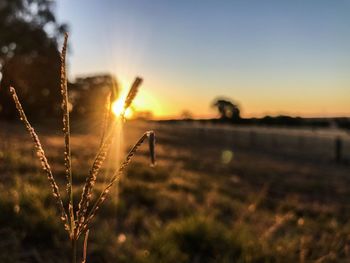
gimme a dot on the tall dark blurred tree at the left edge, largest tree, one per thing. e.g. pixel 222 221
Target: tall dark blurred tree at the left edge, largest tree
pixel 29 58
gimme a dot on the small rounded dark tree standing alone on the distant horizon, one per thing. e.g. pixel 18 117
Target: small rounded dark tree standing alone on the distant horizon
pixel 228 110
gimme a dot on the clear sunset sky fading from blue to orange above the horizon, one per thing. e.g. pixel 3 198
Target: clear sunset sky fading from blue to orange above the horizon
pixel 271 57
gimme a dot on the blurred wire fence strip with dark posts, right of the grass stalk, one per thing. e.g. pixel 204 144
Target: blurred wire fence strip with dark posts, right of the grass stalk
pixel 309 144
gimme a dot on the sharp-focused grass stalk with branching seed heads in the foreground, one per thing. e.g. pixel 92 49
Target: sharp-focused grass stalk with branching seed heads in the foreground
pixel 77 220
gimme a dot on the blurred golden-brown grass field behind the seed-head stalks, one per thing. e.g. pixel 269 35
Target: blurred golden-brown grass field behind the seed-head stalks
pixel 207 200
